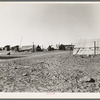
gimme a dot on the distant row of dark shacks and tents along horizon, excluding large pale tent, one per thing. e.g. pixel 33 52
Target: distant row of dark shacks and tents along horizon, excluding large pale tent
pixel 32 48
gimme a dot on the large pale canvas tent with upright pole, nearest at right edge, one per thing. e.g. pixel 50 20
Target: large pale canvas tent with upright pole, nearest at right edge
pixel 87 47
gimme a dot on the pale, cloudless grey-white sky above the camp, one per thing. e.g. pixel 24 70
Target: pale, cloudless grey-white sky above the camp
pixel 48 23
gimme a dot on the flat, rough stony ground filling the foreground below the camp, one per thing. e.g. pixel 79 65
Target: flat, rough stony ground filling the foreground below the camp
pixel 56 71
